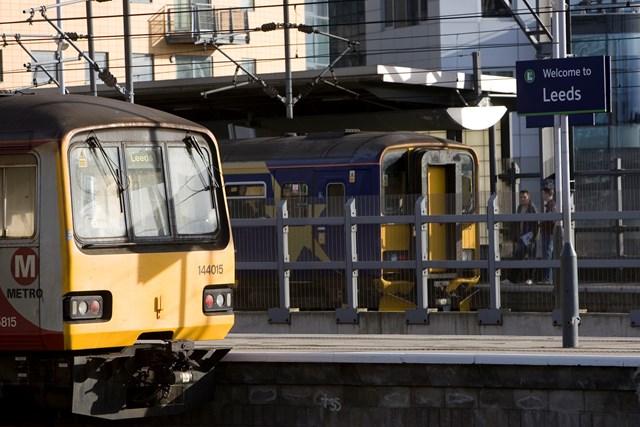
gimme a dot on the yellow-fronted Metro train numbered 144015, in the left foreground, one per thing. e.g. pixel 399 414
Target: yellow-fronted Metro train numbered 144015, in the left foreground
pixel 116 253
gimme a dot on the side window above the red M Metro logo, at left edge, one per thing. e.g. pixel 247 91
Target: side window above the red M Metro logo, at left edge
pixel 17 196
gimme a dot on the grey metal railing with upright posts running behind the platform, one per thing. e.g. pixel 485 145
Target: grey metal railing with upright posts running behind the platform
pixel 269 251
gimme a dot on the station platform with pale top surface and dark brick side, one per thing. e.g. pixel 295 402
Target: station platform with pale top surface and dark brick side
pixel 450 372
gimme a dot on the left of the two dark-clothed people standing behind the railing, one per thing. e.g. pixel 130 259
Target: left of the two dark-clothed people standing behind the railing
pixel 526 235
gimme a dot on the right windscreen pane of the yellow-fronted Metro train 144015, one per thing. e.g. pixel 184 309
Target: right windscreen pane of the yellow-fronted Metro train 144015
pixel 192 192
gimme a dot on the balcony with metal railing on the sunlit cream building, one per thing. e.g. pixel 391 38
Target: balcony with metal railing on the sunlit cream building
pixel 202 22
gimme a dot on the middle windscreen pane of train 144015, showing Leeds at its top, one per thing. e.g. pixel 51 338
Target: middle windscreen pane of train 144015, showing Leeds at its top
pixel 147 192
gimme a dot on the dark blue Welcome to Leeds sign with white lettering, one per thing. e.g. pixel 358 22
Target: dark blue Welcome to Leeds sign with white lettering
pixel 564 86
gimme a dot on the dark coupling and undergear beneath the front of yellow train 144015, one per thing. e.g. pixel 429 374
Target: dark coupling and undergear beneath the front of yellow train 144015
pixel 152 379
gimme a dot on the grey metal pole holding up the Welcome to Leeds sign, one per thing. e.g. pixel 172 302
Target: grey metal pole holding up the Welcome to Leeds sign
pixel 568 257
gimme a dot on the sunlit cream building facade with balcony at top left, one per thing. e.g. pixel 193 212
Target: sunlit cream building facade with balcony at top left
pixel 168 40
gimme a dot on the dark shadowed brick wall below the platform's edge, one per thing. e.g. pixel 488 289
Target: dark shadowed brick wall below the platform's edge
pixel 314 394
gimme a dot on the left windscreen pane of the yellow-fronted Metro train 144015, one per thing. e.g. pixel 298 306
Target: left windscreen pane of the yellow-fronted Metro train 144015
pixel 97 208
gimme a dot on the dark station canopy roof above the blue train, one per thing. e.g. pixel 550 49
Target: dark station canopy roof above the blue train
pixel 375 97
